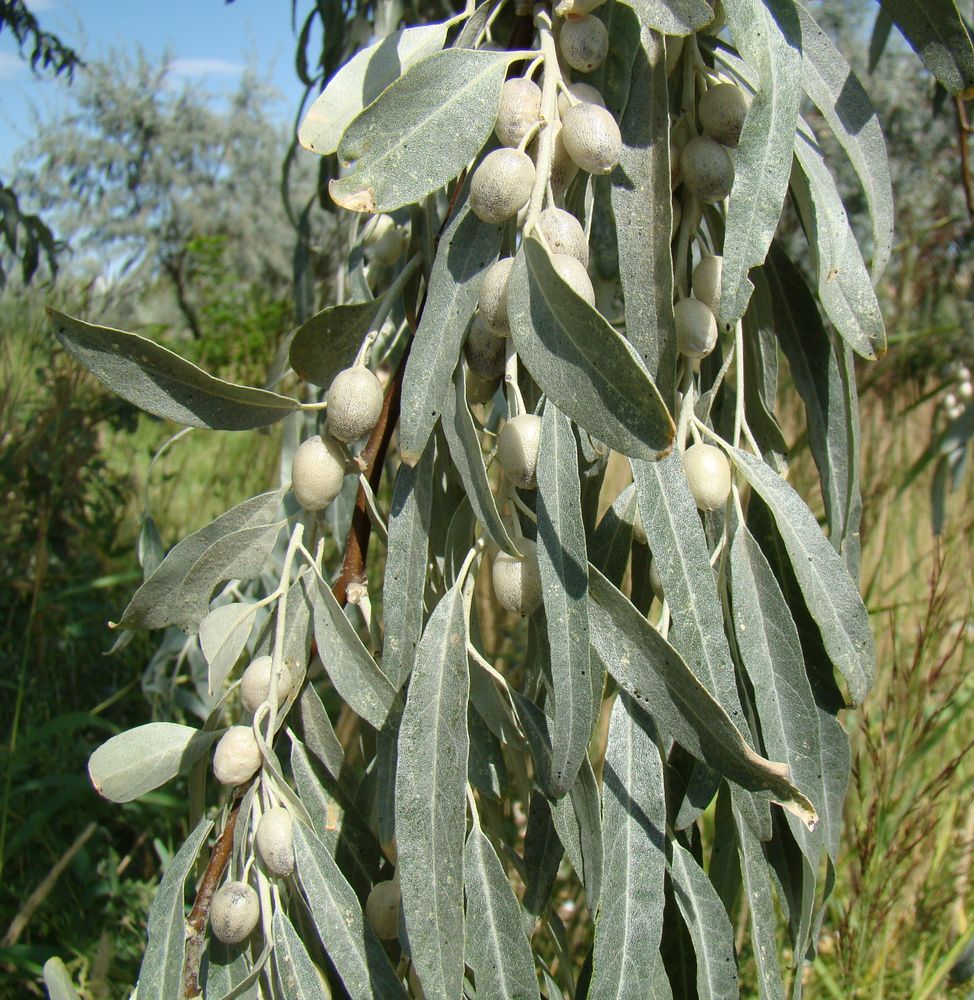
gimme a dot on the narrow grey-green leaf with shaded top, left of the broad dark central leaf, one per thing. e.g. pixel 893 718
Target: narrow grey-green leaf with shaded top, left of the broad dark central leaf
pixel 464 252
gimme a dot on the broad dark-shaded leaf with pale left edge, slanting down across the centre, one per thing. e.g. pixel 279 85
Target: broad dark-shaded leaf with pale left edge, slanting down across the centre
pixel 587 370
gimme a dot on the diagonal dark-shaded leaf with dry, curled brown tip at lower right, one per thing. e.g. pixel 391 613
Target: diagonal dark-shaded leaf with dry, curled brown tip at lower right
pixel 649 669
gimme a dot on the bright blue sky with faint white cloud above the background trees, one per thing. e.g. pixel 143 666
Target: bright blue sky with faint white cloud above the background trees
pixel 211 43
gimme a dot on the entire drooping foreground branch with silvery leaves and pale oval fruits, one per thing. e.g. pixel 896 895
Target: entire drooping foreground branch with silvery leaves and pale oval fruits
pixel 435 769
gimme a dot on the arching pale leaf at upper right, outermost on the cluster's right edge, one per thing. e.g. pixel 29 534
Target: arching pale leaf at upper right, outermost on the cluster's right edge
pixel 838 94
